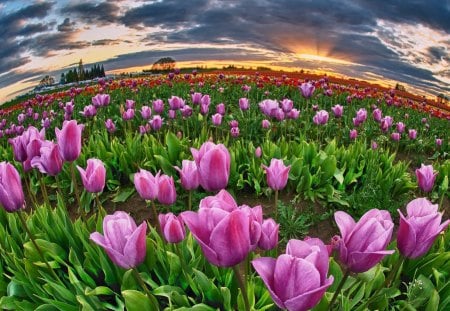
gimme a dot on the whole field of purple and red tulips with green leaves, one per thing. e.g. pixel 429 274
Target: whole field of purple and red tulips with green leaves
pixel 226 178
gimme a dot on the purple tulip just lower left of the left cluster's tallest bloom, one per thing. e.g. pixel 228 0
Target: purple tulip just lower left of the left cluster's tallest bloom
pixel 49 161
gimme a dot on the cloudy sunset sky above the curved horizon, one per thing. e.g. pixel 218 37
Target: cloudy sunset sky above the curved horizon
pixel 390 40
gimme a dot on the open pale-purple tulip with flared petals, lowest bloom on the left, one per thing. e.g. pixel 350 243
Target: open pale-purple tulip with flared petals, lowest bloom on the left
pixel 123 241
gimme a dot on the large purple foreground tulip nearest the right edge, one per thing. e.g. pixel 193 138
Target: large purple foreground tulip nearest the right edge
pixel 419 228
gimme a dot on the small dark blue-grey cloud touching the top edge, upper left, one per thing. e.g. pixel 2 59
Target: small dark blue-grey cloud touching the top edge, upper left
pixel 102 13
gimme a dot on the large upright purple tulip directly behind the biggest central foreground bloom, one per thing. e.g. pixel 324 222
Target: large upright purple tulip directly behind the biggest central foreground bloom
pixel 213 163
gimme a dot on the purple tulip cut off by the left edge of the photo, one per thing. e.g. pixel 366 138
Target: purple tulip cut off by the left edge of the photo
pixel 11 191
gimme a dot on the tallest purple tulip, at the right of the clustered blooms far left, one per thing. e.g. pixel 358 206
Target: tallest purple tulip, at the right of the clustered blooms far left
pixel 69 140
